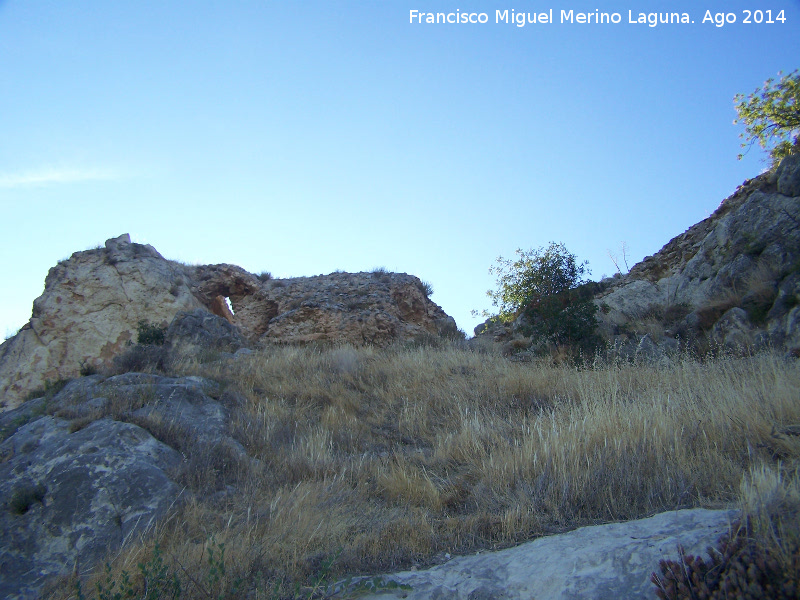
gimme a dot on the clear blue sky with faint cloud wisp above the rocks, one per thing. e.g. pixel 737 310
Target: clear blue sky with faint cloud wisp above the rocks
pixel 301 137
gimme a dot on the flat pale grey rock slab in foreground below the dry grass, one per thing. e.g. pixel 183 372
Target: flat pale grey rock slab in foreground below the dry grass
pixel 601 562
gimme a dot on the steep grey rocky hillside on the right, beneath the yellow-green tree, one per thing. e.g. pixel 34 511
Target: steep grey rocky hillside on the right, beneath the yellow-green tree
pixel 732 281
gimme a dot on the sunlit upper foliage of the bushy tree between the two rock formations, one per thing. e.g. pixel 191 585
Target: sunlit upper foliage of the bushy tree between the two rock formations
pixel 532 276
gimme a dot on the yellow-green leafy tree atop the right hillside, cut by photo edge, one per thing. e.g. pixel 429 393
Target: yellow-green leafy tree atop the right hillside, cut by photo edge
pixel 771 116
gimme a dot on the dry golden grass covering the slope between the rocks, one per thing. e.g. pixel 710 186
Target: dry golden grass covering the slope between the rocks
pixel 386 458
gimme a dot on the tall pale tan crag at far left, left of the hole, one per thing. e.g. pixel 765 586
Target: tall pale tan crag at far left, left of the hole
pixel 89 312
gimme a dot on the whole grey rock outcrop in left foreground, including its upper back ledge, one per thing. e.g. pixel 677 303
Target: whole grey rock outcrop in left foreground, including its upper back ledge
pixel 98 464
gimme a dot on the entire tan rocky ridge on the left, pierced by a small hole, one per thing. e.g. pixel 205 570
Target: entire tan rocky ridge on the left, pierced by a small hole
pixel 94 301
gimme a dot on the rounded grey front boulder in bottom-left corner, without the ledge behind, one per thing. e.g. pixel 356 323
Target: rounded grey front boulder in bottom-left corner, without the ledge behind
pixel 70 497
